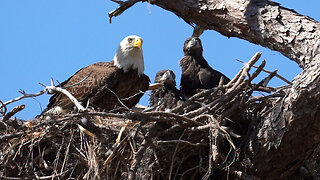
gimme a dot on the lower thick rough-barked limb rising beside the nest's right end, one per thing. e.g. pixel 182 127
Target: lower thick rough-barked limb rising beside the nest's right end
pixel 288 134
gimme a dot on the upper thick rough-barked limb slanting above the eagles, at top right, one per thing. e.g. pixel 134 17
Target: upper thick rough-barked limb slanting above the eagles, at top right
pixel 261 22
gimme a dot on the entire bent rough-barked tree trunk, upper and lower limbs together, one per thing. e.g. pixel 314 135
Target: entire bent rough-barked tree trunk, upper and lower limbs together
pixel 289 132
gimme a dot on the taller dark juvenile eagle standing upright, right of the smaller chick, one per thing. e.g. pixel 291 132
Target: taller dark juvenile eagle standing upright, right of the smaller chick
pixel 196 72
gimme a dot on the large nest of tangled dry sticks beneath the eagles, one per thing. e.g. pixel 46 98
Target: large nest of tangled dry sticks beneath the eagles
pixel 202 138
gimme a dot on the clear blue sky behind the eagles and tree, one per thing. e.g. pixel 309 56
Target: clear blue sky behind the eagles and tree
pixel 54 38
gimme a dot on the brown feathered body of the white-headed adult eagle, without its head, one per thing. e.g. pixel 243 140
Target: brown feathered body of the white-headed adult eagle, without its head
pixel 103 85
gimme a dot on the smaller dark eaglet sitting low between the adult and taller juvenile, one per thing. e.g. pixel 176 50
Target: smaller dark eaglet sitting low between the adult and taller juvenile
pixel 167 96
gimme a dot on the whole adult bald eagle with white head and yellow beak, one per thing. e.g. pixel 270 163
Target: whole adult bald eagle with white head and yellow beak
pixel 119 83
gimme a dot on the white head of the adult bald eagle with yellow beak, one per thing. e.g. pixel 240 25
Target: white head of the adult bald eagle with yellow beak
pixel 129 54
